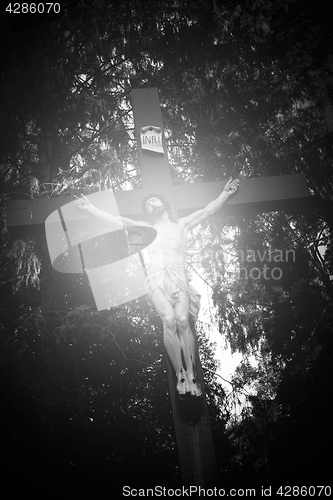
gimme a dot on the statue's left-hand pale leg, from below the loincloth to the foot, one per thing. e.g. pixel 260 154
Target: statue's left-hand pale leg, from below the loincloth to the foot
pixel 170 337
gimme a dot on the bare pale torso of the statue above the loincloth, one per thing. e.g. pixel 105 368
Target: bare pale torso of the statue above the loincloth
pixel 169 247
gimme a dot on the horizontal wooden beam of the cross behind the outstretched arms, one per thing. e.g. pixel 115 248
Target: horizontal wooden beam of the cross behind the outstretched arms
pixel 255 195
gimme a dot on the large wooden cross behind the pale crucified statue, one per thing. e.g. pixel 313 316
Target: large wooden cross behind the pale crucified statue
pixel 192 429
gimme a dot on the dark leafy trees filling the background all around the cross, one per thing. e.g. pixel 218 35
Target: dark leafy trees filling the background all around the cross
pixel 246 90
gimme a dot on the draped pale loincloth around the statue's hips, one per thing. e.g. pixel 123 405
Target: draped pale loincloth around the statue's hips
pixel 172 280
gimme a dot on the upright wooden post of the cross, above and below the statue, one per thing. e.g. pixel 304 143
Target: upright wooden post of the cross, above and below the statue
pixel 196 456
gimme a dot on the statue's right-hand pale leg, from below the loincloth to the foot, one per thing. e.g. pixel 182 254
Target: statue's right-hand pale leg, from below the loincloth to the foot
pixel 187 343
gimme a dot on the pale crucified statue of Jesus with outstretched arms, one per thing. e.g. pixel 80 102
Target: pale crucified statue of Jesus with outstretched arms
pixel 169 290
